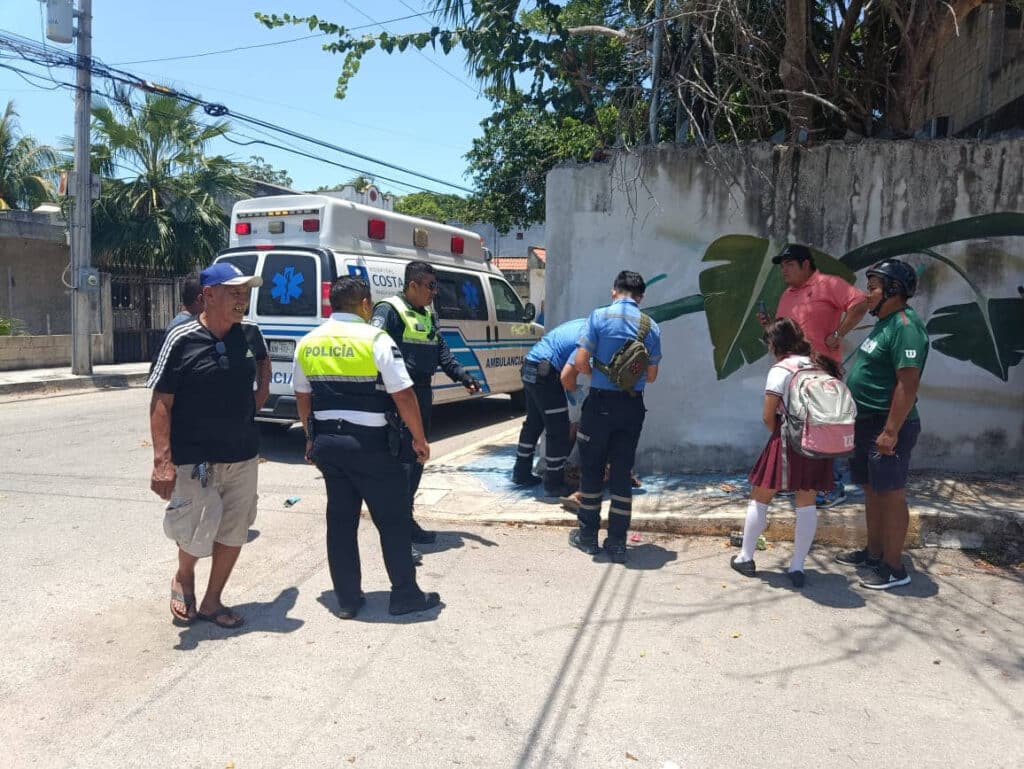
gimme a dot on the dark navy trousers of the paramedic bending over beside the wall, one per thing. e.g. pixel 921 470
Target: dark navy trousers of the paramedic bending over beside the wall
pixel 547 411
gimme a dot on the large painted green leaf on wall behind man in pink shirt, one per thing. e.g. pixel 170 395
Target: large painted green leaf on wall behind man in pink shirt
pixel 732 292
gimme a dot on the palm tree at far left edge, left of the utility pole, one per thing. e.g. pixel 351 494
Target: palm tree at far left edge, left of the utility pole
pixel 27 169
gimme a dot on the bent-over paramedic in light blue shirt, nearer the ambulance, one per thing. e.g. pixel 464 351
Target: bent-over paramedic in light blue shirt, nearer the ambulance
pixel 547 408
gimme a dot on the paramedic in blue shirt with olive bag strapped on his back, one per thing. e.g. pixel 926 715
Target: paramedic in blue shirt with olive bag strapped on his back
pixel 613 419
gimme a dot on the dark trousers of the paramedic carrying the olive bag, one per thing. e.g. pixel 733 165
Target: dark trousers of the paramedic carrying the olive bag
pixel 610 432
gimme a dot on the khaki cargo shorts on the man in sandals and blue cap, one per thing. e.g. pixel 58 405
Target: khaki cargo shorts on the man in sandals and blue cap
pixel 197 518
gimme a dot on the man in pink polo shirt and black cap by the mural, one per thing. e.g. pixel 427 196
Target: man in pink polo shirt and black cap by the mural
pixel 827 308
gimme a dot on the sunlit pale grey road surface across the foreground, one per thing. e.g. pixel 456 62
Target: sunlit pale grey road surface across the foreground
pixel 540 657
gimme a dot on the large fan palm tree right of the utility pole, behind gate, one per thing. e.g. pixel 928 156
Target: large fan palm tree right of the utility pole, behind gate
pixel 160 209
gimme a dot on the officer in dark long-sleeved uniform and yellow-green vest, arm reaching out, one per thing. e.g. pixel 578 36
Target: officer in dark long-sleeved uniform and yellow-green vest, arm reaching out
pixel 413 326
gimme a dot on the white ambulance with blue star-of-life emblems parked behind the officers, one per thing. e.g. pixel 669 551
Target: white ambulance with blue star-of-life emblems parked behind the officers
pixel 301 244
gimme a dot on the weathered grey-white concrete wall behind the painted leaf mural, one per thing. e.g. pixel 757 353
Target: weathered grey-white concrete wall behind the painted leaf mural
pixel 659 212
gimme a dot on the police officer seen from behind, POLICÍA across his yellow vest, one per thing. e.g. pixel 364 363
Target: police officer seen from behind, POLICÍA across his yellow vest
pixel 349 379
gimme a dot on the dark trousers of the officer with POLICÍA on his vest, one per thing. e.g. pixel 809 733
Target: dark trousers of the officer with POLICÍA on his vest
pixel 358 467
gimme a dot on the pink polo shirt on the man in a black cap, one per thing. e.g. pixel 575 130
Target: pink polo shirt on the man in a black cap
pixel 819 307
